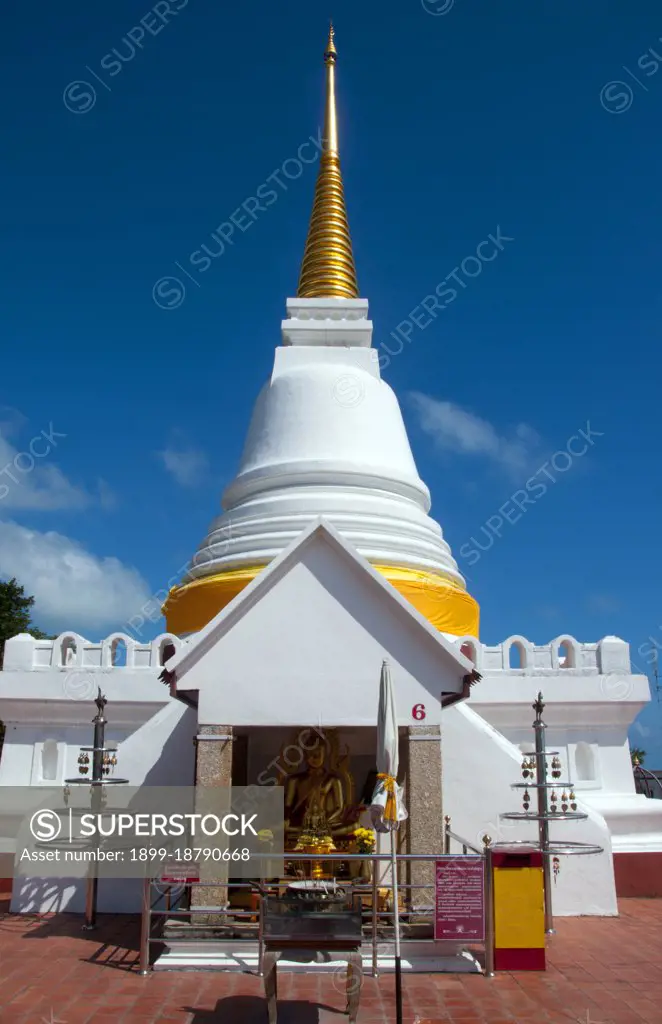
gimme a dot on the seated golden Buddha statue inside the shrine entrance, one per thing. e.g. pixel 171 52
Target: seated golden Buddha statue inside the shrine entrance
pixel 320 796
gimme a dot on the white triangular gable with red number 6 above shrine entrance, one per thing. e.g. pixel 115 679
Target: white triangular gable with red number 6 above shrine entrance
pixel 306 641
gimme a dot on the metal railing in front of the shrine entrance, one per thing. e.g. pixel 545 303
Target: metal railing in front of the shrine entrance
pixel 376 919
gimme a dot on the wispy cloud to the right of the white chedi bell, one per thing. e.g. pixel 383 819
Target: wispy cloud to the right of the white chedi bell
pixel 458 431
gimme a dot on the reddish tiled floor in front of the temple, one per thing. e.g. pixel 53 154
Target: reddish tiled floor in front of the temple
pixel 600 972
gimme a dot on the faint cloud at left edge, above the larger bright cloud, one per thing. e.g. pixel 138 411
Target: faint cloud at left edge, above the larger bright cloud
pixel 29 478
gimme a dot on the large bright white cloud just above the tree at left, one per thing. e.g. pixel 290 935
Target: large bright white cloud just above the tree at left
pixel 73 589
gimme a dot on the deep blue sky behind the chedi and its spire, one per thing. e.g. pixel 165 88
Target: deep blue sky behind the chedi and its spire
pixel 460 121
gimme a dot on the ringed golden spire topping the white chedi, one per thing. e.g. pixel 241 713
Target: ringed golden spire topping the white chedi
pixel 328 271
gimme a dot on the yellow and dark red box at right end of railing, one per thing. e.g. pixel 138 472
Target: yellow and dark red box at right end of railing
pixel 519 910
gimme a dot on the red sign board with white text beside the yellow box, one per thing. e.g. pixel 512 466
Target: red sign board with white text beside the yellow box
pixel 460 892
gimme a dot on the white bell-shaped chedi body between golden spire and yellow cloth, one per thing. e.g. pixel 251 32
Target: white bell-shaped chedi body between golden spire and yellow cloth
pixel 326 439
